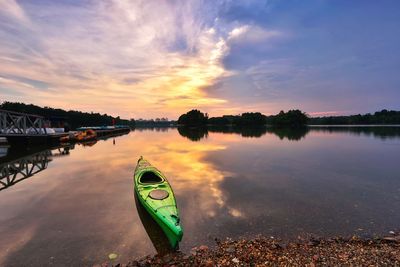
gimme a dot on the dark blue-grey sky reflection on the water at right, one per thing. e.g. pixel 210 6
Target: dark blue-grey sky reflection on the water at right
pixel 319 185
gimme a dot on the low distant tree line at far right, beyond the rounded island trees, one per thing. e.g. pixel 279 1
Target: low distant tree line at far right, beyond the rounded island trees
pixel 380 117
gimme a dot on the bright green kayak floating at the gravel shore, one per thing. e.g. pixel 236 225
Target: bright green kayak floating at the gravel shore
pixel 157 197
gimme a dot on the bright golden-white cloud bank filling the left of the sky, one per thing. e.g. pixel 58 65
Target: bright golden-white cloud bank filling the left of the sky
pixel 135 58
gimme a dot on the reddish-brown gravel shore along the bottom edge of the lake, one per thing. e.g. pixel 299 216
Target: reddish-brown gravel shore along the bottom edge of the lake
pixel 271 252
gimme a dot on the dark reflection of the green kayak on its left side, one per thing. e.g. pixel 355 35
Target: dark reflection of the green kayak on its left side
pixel 153 230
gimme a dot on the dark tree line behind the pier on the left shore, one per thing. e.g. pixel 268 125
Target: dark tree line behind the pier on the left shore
pixel 75 119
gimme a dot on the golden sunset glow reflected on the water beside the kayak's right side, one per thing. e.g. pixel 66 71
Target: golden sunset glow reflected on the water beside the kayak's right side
pixel 195 180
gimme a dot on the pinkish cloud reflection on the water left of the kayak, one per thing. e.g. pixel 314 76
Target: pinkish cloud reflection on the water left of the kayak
pixel 79 202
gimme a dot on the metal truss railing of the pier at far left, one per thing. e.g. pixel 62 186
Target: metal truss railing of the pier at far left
pixel 15 123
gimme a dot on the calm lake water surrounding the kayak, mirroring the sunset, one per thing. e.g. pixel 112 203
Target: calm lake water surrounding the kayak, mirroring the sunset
pixel 80 205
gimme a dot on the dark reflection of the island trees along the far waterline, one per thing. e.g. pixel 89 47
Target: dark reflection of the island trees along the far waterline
pixel 292 134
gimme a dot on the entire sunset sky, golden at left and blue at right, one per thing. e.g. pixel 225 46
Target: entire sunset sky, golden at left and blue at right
pixel 147 59
